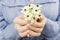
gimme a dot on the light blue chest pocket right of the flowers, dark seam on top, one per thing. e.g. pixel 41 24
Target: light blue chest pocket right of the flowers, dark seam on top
pixel 49 8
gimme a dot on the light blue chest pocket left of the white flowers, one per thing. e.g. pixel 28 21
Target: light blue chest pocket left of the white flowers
pixel 11 11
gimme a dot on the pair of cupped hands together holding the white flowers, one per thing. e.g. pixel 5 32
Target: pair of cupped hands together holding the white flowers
pixel 29 29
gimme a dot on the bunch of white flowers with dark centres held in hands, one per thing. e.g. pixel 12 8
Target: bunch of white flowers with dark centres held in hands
pixel 32 12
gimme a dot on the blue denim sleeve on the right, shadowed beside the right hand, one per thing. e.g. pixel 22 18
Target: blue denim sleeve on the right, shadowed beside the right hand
pixel 52 28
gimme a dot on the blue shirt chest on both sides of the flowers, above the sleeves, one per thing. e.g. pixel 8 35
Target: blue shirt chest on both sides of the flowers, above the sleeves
pixel 12 8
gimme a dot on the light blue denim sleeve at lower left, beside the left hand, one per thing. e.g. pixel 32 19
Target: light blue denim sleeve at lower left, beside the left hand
pixel 10 33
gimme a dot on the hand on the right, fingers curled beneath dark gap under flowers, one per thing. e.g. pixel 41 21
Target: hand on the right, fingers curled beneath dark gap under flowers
pixel 36 28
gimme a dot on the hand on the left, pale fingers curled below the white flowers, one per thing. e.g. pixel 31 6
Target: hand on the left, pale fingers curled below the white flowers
pixel 21 25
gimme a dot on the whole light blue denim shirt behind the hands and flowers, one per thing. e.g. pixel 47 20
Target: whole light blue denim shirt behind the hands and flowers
pixel 9 9
